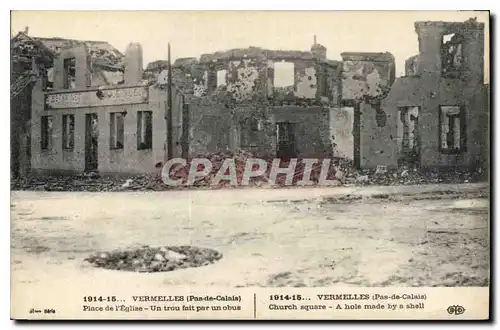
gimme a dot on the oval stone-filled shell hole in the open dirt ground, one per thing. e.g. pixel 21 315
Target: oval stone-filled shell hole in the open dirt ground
pixel 148 259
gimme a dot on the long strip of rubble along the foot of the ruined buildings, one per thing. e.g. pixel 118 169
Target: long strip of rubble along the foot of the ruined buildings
pixel 340 172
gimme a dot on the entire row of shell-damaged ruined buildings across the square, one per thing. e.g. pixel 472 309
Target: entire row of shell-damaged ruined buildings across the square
pixel 103 112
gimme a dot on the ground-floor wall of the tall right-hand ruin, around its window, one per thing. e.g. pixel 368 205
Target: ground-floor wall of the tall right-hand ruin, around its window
pixel 429 94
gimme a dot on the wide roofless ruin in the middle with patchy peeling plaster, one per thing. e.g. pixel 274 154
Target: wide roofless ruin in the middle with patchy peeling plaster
pixel 278 103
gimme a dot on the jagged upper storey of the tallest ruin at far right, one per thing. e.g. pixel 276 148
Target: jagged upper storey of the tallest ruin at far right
pixel 449 49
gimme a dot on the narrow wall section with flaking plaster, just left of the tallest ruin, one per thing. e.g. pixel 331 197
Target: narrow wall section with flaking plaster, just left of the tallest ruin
pixel 366 80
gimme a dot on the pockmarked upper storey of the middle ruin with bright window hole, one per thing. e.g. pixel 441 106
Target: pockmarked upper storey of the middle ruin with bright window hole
pixel 255 73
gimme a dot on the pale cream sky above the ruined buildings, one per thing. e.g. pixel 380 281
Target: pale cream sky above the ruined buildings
pixel 193 33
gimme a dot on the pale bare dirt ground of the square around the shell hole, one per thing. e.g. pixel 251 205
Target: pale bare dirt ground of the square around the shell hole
pixel 429 235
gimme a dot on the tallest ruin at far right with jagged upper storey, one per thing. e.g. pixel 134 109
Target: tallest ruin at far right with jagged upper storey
pixel 439 110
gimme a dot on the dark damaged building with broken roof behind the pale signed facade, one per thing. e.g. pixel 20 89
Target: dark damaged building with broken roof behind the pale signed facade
pixel 32 59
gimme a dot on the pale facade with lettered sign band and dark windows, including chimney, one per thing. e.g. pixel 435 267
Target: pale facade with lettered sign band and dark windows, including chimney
pixel 112 129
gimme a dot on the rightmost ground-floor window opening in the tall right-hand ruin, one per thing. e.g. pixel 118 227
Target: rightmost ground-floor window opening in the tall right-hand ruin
pixel 452 129
